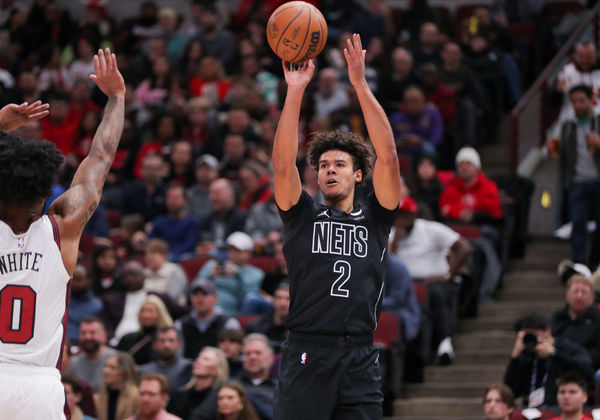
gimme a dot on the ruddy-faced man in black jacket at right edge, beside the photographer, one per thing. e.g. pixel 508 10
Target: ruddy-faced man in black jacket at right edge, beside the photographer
pixel 579 319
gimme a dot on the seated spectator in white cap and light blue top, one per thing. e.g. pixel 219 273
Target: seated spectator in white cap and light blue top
pixel 233 277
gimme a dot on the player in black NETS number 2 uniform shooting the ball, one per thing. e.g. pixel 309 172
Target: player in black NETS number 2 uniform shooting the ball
pixel 335 255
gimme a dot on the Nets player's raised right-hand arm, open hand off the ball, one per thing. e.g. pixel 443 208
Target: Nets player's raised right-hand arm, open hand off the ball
pixel 386 173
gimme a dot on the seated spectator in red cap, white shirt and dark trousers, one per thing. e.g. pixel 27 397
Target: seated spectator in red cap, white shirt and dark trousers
pixel 434 254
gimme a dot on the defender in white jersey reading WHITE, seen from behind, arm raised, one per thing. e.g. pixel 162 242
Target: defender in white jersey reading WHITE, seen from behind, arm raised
pixel 38 253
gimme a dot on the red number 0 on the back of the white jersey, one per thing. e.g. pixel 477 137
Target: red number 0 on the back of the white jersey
pixel 17 313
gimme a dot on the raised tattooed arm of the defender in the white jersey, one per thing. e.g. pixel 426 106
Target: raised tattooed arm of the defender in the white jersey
pixel 73 209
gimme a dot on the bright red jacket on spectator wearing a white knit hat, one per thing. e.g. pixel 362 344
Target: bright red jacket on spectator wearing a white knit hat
pixel 481 197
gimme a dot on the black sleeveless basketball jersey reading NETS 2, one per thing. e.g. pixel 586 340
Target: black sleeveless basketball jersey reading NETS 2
pixel 336 265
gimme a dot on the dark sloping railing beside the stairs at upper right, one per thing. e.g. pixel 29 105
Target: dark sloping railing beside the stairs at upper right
pixel 531 117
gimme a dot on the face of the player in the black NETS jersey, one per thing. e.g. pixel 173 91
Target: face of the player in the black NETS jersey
pixel 336 175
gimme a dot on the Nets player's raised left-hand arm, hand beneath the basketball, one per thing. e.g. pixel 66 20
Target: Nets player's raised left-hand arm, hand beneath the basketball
pixel 286 180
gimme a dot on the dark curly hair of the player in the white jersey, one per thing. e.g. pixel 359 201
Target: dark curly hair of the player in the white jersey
pixel 28 169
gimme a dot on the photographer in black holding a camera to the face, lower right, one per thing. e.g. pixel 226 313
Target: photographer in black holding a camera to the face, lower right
pixel 538 359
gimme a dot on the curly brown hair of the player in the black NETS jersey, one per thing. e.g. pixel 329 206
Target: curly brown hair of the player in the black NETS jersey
pixel 353 144
